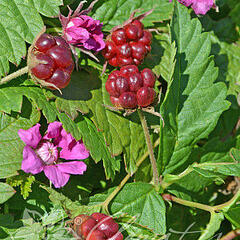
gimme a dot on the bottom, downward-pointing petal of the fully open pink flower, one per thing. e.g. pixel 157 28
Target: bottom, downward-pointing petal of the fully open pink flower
pixel 58 178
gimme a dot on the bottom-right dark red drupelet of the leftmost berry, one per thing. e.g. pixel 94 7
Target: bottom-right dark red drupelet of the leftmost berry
pixel 59 78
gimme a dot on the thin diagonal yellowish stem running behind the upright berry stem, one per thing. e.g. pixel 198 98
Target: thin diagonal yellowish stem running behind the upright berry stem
pixel 123 182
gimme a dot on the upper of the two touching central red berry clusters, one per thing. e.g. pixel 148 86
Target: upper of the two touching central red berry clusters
pixel 128 45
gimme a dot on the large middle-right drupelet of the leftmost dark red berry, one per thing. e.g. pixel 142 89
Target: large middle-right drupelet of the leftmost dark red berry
pixel 61 56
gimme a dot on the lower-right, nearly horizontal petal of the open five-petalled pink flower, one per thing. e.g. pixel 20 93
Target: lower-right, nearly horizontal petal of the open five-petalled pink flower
pixel 74 167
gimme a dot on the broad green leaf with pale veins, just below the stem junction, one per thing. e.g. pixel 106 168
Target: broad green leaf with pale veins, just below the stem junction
pixel 145 204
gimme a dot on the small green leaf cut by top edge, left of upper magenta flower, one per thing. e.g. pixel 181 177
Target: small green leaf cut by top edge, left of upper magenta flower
pixel 48 8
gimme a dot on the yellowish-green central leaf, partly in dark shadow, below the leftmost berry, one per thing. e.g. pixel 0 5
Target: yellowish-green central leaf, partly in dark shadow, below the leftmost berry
pixel 119 132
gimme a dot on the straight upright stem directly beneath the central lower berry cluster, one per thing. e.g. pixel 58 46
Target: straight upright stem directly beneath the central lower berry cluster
pixel 150 147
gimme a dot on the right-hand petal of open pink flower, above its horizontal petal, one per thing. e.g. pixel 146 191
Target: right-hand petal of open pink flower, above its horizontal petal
pixel 75 150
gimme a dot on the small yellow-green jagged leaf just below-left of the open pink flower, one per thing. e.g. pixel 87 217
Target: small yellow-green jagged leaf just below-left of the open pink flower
pixel 24 181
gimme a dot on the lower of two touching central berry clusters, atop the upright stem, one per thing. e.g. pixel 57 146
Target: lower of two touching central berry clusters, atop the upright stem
pixel 129 88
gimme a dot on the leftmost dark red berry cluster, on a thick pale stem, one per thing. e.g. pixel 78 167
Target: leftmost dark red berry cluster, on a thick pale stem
pixel 51 60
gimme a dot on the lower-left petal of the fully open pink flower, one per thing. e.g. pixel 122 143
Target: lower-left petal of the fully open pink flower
pixel 31 163
